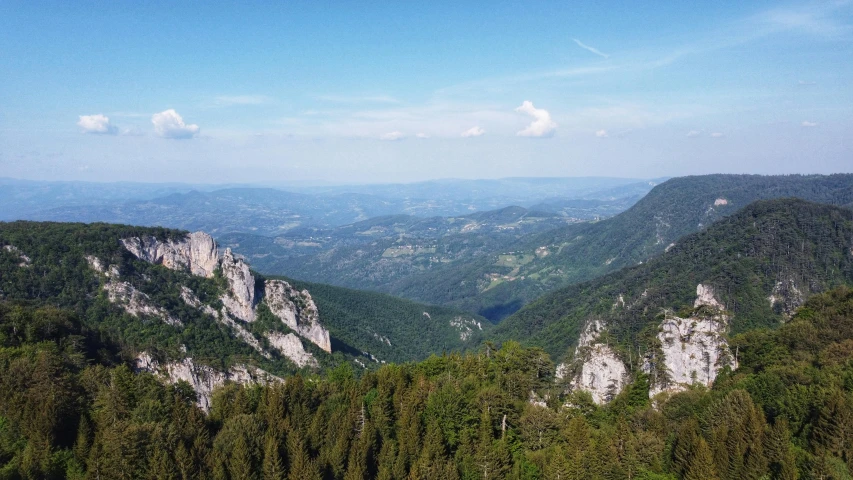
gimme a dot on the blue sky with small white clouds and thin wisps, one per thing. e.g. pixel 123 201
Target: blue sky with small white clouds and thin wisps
pixel 367 92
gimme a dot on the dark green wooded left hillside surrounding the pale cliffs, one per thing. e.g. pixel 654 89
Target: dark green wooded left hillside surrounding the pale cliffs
pixel 145 307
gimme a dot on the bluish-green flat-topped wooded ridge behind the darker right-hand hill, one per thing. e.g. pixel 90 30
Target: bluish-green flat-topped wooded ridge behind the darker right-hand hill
pixel 495 287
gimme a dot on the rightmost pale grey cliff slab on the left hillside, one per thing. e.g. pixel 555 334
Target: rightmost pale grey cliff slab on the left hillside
pixel 296 310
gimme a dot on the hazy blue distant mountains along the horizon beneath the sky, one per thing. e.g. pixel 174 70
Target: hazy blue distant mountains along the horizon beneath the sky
pixel 272 211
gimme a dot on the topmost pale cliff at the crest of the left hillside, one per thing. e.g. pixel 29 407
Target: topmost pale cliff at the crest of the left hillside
pixel 196 252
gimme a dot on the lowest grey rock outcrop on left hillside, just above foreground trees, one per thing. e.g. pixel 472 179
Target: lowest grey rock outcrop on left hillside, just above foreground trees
pixel 202 378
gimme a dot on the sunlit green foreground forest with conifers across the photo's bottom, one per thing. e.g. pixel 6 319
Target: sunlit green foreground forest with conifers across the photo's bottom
pixel 68 410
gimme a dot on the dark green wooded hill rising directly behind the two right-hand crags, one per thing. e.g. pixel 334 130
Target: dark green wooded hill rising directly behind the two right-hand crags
pixel 762 262
